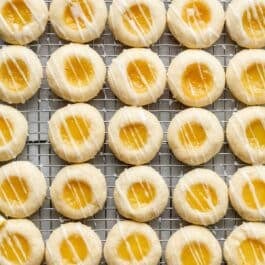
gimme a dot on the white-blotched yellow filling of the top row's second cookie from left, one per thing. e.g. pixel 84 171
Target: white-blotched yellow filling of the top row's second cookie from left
pixel 77 13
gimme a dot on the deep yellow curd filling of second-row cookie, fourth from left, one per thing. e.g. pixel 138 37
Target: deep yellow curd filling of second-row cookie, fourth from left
pixel 197 81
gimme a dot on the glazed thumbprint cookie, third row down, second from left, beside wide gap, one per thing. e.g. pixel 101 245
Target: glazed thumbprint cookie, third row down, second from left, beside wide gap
pixel 76 132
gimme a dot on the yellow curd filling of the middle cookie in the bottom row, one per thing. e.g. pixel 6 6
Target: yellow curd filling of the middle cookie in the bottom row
pixel 134 247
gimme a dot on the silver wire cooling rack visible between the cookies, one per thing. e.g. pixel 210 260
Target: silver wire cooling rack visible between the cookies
pixel 38 150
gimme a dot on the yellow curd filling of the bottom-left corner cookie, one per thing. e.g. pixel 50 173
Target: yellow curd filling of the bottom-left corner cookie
pixel 15 248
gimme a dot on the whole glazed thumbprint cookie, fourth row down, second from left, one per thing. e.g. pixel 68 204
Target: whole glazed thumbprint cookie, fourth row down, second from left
pixel 79 191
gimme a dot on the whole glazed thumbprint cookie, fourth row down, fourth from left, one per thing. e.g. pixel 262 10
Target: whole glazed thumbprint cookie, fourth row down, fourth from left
pixel 201 197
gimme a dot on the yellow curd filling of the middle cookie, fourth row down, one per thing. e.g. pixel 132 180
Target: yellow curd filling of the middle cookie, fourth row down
pixel 141 193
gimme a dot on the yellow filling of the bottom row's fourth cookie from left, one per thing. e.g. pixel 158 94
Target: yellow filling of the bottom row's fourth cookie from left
pixel 195 253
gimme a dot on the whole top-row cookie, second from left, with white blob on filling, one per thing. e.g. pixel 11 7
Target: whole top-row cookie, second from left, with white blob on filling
pixel 78 20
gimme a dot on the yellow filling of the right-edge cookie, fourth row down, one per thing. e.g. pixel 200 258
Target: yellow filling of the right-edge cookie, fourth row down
pixel 253 194
